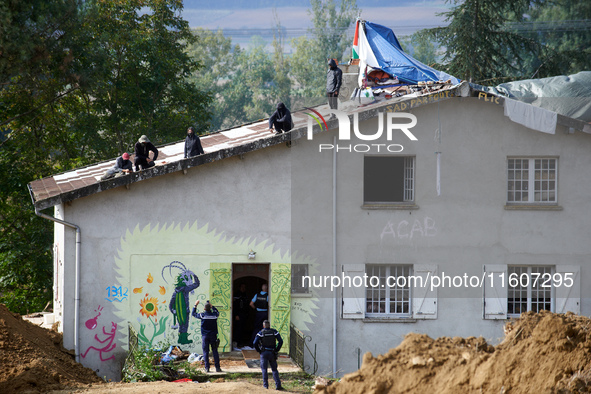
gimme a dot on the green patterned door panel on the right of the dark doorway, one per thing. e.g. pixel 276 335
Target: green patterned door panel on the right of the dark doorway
pixel 281 301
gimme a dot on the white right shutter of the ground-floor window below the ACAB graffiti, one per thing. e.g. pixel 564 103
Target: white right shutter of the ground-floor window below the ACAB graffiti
pixel 424 300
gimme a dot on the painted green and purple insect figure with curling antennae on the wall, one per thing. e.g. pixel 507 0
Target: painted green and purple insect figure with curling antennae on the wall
pixel 185 283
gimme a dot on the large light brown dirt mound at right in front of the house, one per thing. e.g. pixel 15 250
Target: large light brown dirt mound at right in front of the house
pixel 542 352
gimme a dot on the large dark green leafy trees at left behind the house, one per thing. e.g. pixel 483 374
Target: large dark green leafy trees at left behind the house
pixel 80 81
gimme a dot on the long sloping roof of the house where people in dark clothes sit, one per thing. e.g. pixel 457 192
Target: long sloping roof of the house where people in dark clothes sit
pixel 81 182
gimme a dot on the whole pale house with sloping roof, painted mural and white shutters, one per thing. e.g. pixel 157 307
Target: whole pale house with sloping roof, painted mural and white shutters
pixel 362 233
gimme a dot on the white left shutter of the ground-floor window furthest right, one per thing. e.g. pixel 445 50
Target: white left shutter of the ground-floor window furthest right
pixel 495 291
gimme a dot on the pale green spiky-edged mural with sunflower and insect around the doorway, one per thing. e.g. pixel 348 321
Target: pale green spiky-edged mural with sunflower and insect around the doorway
pixel 148 262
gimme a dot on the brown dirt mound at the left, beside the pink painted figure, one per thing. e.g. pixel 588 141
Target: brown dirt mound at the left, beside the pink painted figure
pixel 33 359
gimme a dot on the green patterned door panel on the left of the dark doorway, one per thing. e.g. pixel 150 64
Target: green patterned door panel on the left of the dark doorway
pixel 220 293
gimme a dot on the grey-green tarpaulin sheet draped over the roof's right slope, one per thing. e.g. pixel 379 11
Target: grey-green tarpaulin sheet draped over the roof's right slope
pixel 566 95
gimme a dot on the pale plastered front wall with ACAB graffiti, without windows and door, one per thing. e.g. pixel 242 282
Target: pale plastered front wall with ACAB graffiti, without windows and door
pixel 279 201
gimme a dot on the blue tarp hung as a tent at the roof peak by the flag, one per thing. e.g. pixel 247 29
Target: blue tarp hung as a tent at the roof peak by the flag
pixel 393 60
